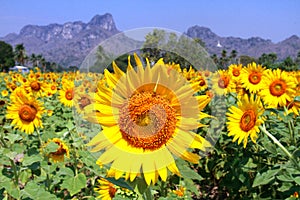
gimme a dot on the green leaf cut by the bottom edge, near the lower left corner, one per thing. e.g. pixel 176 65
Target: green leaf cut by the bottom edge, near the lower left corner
pixel 35 191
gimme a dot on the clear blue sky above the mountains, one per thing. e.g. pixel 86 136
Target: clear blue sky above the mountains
pixel 269 19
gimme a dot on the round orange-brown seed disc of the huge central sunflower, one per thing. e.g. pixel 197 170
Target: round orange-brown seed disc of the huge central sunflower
pixel 147 120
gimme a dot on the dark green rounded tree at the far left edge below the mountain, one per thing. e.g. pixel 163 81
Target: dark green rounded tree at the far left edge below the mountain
pixel 6 56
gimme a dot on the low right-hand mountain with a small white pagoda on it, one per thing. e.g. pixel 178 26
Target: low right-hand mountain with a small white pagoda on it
pixel 254 46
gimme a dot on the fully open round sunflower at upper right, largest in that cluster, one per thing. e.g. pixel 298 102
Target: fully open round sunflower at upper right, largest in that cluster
pixel 278 88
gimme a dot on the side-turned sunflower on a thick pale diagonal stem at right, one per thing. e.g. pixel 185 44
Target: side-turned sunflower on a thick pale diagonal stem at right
pixel 244 120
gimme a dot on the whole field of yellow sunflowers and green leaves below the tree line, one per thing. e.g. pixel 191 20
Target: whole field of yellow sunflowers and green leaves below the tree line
pixel 151 132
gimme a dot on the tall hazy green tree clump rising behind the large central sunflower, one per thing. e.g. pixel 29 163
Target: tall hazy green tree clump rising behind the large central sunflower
pixel 175 48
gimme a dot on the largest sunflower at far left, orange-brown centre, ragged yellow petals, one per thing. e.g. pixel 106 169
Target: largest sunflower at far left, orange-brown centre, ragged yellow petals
pixel 26 112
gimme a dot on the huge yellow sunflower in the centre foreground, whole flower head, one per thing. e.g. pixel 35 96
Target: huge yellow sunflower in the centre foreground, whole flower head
pixel 147 116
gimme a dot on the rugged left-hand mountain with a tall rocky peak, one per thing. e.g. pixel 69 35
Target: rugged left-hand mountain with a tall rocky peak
pixel 66 44
